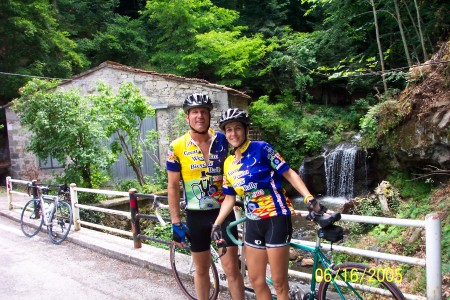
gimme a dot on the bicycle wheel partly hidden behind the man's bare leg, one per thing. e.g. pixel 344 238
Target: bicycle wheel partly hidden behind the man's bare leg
pixel 183 272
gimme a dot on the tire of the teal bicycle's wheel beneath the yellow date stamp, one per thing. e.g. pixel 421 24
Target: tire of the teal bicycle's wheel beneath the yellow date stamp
pixel 358 274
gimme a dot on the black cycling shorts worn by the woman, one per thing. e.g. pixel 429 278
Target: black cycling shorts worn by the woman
pixel 268 233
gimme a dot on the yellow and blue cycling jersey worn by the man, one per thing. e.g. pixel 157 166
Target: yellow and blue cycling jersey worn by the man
pixel 202 184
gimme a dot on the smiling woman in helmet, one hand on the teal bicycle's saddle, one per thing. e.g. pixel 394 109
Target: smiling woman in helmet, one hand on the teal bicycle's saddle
pixel 254 172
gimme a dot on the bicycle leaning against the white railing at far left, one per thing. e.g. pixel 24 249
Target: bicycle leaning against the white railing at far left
pixel 51 211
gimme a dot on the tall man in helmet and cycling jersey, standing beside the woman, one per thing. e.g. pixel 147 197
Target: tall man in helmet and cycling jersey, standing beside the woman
pixel 196 159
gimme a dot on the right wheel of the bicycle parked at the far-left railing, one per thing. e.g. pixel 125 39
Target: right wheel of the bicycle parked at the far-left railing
pixel 60 222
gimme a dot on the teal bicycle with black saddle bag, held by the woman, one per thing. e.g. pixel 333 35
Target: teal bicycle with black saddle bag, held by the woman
pixel 343 281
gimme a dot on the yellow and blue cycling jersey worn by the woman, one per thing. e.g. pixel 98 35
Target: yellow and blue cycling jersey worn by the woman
pixel 256 178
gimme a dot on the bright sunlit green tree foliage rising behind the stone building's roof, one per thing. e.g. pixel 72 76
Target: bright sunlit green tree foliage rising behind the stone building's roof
pixel 182 33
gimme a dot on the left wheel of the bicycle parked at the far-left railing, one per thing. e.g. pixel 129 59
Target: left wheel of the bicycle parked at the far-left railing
pixel 31 219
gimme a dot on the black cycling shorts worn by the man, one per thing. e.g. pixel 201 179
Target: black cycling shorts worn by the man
pixel 200 224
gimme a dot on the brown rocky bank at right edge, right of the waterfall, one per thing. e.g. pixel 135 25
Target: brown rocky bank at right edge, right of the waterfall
pixel 424 137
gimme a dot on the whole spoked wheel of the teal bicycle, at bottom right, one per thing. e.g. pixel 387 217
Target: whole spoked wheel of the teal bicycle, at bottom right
pixel 358 281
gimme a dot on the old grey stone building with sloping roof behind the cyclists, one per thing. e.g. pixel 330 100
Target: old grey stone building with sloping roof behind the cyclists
pixel 164 92
